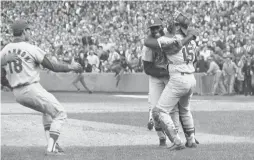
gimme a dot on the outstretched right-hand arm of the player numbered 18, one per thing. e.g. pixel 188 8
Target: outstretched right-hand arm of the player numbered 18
pixel 57 66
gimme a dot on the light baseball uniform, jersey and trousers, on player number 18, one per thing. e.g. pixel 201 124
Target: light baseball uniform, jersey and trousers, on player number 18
pixel 23 76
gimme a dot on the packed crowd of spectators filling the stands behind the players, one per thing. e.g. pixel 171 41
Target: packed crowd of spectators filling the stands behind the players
pixel 106 32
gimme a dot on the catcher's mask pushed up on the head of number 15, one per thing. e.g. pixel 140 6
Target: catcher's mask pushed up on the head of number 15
pixel 182 21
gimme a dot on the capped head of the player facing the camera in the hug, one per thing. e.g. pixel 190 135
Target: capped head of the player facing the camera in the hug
pixel 156 27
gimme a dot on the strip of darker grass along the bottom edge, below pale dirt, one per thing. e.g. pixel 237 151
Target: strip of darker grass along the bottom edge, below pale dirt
pixel 203 152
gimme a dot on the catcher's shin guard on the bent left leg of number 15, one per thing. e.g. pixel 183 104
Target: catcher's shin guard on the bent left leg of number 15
pixel 164 120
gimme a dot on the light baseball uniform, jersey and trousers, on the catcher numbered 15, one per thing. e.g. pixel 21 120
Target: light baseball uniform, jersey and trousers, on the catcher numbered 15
pixel 180 86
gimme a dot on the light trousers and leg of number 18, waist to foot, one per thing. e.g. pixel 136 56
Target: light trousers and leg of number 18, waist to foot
pixel 36 97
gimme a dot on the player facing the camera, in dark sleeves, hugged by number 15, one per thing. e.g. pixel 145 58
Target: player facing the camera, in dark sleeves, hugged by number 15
pixel 155 64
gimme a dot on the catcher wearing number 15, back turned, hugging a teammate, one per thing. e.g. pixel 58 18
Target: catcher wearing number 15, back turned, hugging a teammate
pixel 180 53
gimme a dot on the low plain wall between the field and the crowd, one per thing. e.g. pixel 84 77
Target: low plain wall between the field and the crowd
pixel 106 82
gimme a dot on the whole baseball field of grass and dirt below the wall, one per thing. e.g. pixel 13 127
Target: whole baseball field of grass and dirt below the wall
pixel 113 127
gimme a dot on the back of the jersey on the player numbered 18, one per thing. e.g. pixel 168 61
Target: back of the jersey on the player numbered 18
pixel 25 70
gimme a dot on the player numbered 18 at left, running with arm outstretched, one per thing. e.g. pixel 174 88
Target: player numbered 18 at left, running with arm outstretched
pixel 21 62
